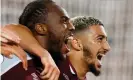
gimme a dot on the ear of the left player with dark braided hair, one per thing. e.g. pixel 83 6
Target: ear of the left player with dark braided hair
pixel 41 29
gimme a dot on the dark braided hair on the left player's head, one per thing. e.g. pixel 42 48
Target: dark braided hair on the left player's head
pixel 34 12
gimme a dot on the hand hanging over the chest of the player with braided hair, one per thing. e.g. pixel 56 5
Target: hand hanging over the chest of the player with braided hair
pixel 51 71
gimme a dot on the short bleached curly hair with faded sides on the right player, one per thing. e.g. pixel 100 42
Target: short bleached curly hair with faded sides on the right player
pixel 82 22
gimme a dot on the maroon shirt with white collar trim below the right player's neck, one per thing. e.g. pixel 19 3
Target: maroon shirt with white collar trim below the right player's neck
pixel 67 70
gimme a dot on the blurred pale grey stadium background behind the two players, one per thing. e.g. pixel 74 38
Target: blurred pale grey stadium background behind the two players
pixel 117 16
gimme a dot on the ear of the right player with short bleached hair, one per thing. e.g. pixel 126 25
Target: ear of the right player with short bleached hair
pixel 76 44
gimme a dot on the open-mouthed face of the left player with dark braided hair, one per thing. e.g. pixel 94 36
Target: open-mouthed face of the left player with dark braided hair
pixel 59 25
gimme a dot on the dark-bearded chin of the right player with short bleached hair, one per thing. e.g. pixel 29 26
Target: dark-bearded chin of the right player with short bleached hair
pixel 95 69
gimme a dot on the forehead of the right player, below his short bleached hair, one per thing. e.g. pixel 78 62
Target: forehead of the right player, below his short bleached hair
pixel 97 30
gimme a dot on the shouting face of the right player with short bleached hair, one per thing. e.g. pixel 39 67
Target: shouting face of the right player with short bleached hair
pixel 95 46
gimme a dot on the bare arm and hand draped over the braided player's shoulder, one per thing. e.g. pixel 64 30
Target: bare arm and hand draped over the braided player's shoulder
pixel 30 44
